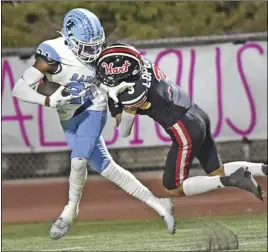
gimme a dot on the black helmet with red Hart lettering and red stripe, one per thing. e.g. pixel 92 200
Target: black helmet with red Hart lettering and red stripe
pixel 118 63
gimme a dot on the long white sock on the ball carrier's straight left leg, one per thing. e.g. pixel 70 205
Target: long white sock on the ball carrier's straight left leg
pixel 77 180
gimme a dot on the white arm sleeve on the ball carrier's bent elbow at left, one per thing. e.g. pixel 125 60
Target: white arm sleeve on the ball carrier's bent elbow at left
pixel 23 88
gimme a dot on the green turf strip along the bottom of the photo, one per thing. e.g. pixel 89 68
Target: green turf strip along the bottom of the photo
pixel 136 236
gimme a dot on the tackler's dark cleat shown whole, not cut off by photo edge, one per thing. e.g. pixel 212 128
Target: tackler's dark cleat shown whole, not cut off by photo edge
pixel 243 179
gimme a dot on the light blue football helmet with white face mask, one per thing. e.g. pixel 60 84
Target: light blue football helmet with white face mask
pixel 83 33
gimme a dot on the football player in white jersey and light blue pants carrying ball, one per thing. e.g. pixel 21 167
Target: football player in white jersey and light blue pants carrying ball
pixel 69 61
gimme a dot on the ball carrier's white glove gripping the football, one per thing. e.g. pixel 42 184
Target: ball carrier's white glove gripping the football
pixel 56 99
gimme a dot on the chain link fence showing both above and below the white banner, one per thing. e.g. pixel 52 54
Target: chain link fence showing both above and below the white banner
pixel 57 164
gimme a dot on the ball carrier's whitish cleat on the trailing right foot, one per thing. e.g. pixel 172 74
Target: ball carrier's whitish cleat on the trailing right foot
pixel 168 216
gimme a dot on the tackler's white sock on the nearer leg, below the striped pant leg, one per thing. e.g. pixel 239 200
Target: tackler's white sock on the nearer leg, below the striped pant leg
pixel 201 184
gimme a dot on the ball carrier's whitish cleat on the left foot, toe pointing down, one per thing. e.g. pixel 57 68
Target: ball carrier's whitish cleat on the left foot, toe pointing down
pixel 61 226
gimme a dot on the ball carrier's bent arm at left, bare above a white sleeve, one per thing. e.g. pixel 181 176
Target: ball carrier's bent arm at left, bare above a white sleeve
pixel 24 87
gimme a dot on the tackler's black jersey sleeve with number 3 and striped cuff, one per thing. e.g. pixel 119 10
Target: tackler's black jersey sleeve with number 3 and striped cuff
pixel 135 96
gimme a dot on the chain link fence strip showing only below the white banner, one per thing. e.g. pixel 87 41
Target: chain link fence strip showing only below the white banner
pixel 26 166
